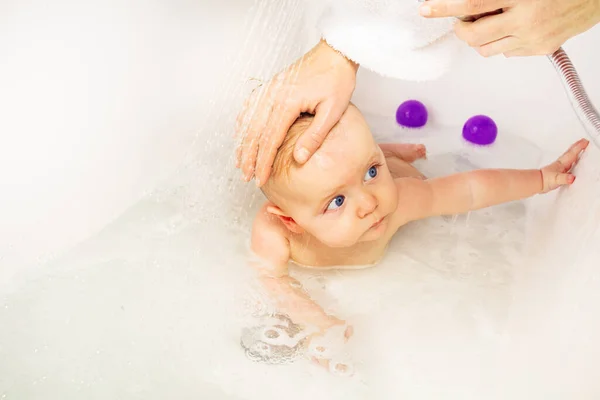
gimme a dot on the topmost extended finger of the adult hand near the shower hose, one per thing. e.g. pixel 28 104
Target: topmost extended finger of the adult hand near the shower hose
pixel 458 8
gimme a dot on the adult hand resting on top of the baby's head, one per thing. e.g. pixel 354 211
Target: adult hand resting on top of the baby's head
pixel 321 82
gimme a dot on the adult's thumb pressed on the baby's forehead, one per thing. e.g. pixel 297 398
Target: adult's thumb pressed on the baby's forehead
pixel 327 114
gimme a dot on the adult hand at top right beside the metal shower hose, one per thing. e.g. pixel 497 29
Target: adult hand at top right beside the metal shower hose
pixel 524 28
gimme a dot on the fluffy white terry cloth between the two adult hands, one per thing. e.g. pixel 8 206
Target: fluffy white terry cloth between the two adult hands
pixel 390 38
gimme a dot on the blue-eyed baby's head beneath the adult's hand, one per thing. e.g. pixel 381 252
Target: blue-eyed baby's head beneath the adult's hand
pixel 339 196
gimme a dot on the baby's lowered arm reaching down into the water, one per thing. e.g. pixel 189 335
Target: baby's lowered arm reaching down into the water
pixel 271 246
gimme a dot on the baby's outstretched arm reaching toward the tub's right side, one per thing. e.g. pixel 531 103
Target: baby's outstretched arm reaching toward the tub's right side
pixel 474 190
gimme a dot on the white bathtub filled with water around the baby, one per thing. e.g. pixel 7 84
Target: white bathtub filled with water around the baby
pixel 124 224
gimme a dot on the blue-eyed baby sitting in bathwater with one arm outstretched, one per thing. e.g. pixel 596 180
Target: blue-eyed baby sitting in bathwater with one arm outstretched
pixel 341 208
